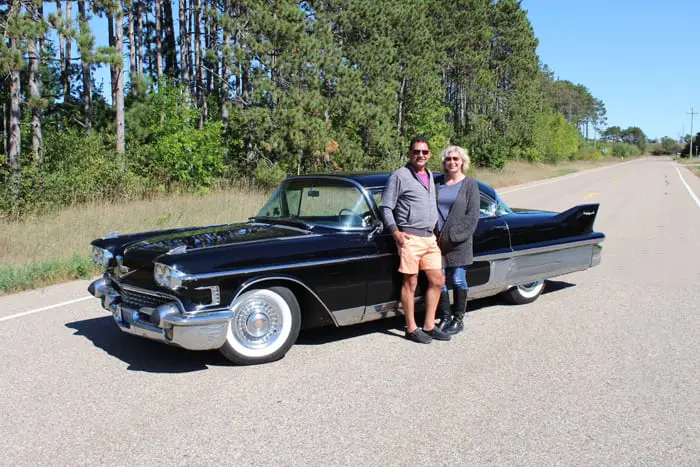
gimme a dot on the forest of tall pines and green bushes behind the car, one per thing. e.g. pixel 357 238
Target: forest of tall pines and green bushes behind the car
pixel 204 93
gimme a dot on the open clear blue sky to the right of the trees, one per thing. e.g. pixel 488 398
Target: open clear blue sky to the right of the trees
pixel 642 58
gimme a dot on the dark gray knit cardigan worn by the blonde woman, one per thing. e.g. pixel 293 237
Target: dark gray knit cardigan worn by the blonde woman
pixel 456 237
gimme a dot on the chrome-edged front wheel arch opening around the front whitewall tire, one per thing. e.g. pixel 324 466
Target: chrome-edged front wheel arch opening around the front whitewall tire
pixel 314 313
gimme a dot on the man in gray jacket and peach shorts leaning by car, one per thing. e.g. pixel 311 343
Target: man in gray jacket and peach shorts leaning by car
pixel 410 212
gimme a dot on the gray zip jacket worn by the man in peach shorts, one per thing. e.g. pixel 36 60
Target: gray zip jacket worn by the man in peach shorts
pixel 408 205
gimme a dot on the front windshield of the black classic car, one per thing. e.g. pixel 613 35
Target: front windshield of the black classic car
pixel 322 202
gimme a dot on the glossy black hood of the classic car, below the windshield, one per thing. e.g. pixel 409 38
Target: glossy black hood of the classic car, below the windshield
pixel 145 251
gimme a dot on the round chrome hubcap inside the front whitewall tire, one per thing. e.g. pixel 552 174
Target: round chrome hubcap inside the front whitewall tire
pixel 257 323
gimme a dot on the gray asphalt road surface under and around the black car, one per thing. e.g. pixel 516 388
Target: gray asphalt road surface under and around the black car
pixel 604 368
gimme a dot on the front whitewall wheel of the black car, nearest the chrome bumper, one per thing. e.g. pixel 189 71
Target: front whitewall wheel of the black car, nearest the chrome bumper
pixel 265 325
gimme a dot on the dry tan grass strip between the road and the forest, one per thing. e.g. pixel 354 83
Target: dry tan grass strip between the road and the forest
pixel 43 250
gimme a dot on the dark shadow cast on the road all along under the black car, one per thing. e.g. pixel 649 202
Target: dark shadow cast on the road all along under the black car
pixel 153 357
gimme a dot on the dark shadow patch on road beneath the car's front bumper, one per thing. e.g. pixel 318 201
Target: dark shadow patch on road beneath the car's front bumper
pixel 143 354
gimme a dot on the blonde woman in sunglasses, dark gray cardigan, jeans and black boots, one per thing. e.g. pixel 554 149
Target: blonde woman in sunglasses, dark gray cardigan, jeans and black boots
pixel 458 207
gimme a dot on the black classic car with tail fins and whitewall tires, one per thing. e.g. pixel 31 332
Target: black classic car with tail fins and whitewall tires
pixel 316 254
